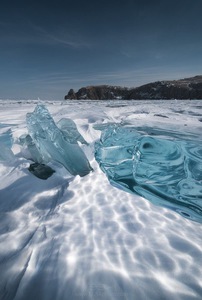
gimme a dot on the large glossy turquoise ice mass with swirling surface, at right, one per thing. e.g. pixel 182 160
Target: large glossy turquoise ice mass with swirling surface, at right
pixel 167 171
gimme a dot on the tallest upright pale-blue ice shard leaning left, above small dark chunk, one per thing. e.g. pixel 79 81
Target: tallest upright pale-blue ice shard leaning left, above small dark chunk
pixel 53 144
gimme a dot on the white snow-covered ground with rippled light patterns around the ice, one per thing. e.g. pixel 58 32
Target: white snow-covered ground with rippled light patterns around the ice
pixel 71 237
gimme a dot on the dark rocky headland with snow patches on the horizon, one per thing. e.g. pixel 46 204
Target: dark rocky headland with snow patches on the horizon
pixel 188 88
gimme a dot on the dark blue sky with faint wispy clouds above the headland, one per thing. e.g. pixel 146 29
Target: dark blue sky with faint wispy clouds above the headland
pixel 48 47
